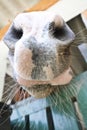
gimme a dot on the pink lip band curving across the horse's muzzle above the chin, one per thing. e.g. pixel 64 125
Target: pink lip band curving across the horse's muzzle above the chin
pixel 64 78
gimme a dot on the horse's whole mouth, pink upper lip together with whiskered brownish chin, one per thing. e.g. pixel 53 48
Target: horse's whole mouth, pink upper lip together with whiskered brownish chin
pixel 40 89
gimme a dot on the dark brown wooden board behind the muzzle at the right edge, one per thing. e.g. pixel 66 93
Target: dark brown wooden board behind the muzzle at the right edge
pixel 78 63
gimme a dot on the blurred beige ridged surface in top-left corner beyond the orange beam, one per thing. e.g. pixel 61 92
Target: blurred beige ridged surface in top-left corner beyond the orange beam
pixel 10 8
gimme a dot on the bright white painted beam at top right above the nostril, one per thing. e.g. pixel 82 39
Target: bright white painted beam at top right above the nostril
pixel 69 9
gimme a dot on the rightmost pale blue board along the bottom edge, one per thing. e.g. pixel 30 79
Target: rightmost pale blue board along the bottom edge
pixel 63 121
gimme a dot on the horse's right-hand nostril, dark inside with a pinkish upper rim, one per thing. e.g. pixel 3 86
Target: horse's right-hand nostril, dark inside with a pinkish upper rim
pixel 61 31
